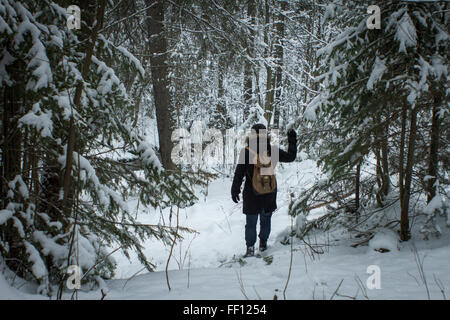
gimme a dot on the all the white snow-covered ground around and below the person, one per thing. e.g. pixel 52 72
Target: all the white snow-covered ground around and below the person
pixel 202 265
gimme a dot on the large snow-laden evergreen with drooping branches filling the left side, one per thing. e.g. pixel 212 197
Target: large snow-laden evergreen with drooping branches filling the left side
pixel 67 205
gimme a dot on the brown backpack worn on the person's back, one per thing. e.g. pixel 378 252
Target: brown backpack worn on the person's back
pixel 263 180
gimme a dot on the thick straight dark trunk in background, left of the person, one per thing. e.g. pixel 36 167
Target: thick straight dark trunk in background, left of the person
pixel 160 79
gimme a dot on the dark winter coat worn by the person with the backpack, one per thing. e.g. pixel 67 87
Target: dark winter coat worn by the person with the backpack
pixel 252 203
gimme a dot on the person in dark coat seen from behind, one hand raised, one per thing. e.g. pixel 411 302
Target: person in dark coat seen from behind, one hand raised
pixel 260 191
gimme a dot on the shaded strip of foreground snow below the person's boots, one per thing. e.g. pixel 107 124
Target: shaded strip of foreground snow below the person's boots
pixel 316 280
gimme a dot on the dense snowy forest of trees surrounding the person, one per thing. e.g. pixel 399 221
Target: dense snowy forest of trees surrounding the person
pixel 91 116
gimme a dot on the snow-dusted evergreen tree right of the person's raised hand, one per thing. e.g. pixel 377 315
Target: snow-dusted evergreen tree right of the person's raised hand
pixel 376 84
